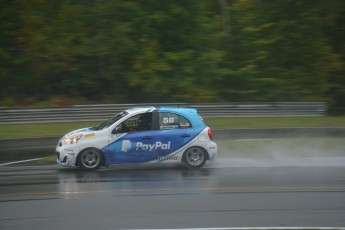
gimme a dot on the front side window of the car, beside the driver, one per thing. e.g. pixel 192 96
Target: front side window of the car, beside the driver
pixel 140 122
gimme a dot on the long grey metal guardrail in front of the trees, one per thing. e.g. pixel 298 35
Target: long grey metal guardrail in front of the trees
pixel 105 111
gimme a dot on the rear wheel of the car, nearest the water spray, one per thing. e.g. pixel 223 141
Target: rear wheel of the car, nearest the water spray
pixel 194 157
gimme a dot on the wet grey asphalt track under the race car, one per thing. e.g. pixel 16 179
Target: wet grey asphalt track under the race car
pixel 226 193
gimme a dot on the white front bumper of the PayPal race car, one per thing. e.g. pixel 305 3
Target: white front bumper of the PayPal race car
pixel 66 155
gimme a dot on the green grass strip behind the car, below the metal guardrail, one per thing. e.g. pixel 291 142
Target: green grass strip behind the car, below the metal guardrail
pixel 59 129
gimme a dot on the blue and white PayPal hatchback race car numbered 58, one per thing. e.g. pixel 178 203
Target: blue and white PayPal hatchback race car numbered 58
pixel 140 135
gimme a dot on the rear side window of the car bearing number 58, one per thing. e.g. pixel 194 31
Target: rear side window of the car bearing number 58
pixel 173 121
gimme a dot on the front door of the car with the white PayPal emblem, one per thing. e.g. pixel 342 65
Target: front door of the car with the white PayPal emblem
pixel 133 141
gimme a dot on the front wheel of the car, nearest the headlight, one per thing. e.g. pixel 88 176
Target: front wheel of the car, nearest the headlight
pixel 90 159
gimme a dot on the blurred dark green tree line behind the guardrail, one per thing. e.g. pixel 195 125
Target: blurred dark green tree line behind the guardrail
pixel 100 51
